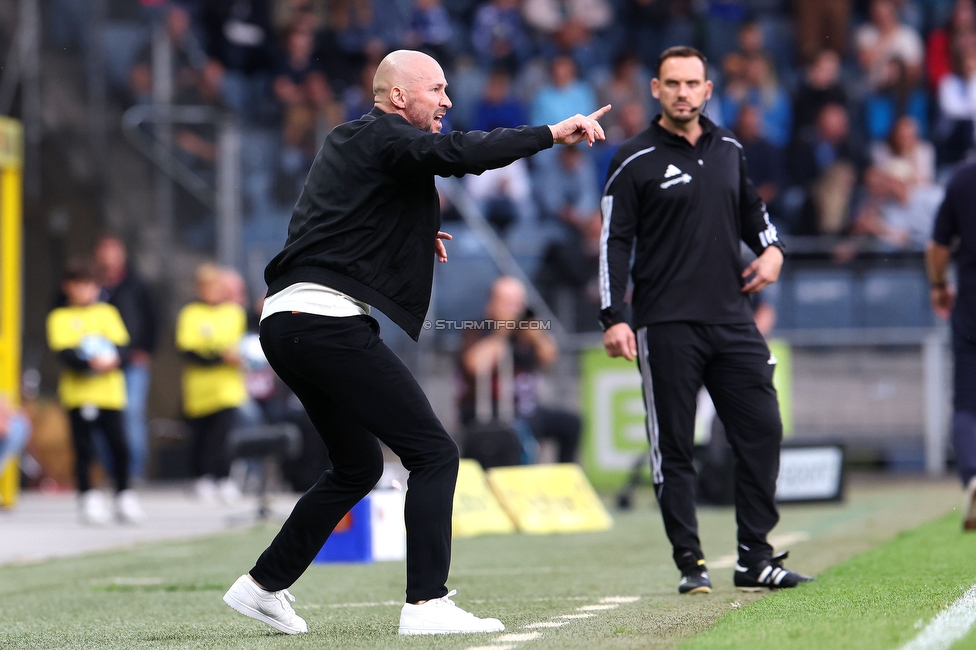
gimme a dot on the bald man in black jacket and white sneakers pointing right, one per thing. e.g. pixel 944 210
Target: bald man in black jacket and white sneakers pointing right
pixel 364 235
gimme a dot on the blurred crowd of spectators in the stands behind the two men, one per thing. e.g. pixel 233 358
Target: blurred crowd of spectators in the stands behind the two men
pixel 851 112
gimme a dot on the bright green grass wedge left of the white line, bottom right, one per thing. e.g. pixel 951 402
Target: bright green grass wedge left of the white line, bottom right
pixel 879 599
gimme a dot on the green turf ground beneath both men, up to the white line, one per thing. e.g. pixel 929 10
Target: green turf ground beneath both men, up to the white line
pixel 615 589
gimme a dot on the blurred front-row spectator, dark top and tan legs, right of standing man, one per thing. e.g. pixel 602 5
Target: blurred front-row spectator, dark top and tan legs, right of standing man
pixel 827 165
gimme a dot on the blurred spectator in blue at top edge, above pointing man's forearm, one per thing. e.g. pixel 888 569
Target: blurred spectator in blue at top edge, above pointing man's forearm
pixel 499 36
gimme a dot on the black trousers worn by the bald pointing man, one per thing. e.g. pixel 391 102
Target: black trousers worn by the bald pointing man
pixel 358 392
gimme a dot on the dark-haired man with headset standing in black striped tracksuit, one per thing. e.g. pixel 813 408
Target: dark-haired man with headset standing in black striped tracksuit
pixel 681 190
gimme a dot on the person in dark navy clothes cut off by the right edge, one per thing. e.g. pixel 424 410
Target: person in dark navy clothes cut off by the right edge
pixel 955 229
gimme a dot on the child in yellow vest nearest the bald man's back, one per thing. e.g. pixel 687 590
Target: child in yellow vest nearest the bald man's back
pixel 208 333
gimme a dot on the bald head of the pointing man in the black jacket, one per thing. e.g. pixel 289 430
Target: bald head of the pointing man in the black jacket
pixel 412 84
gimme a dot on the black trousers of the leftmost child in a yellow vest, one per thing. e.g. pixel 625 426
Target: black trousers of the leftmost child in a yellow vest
pixel 84 423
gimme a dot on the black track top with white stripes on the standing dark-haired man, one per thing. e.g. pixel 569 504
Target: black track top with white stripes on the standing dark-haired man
pixel 687 207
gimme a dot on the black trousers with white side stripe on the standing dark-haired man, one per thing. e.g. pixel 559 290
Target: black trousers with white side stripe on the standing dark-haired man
pixel 735 365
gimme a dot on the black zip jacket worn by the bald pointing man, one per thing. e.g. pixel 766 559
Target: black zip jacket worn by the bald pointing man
pixel 367 217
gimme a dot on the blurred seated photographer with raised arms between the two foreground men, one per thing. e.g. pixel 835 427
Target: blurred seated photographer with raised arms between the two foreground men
pixel 533 350
